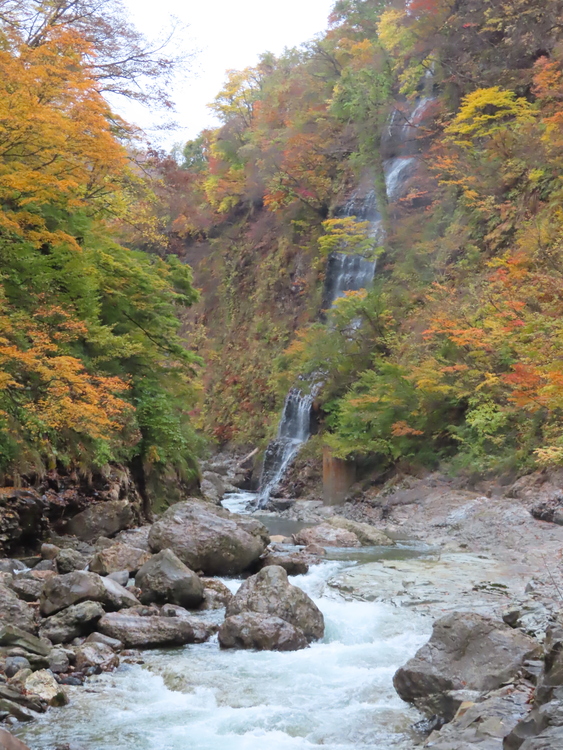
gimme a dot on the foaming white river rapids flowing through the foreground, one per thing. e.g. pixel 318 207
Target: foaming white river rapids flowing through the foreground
pixel 337 694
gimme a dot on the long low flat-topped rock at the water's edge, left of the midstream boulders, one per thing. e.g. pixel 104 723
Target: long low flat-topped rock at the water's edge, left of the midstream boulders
pixel 136 631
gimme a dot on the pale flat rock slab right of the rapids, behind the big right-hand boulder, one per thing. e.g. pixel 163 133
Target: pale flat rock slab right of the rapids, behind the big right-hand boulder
pixel 450 582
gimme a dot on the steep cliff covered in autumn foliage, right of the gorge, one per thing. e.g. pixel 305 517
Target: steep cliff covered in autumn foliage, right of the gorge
pixel 447 122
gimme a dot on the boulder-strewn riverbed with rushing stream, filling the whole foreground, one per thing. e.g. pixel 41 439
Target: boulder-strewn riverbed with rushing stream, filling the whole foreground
pixel 80 622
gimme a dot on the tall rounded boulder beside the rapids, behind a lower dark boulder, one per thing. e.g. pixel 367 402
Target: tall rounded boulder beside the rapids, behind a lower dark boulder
pixel 270 593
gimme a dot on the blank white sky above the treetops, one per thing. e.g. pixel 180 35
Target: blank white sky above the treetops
pixel 228 34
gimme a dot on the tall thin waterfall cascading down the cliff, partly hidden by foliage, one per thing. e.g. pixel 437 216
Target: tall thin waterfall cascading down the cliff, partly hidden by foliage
pixel 345 272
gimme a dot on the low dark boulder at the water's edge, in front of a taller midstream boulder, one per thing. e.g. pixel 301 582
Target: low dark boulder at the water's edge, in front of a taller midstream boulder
pixel 260 632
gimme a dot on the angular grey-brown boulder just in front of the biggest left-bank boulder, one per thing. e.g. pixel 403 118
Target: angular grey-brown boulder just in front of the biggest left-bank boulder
pixel 165 578
